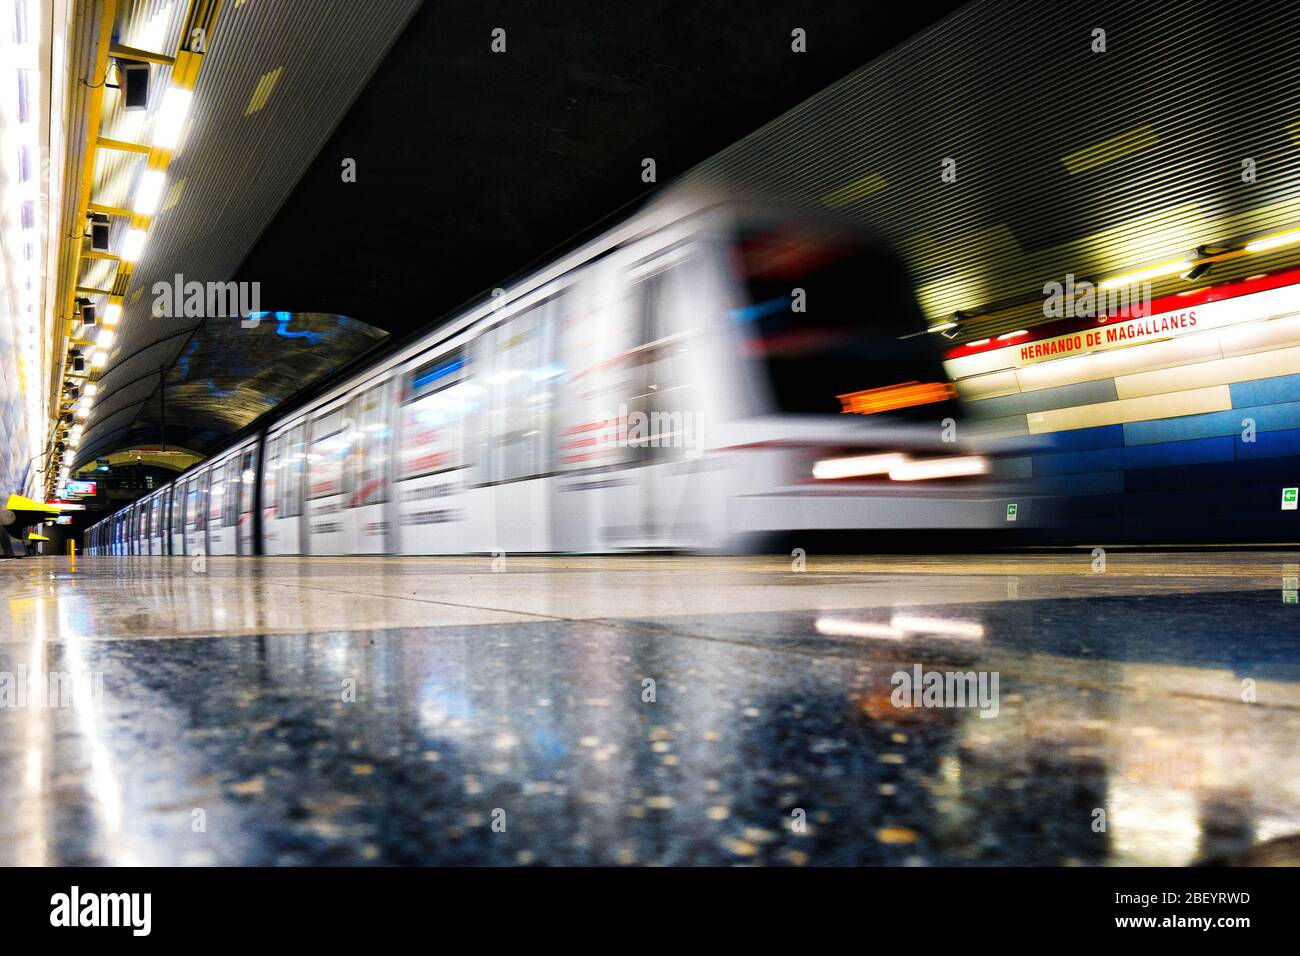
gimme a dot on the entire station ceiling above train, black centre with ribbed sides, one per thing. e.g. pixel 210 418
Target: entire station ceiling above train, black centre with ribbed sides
pixel 471 166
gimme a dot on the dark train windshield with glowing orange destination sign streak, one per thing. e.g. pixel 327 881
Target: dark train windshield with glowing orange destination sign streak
pixel 831 326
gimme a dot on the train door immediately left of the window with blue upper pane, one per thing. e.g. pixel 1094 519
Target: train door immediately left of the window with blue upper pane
pixel 370 461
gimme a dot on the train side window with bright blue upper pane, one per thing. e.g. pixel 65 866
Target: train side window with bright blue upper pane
pixel 437 401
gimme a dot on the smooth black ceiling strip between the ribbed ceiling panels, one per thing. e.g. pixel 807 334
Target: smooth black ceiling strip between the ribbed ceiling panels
pixel 473 165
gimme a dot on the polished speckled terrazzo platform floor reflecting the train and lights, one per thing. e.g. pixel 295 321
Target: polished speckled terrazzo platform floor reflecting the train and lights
pixel 439 712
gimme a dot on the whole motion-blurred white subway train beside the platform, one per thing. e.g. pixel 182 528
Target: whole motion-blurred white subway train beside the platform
pixel 697 378
